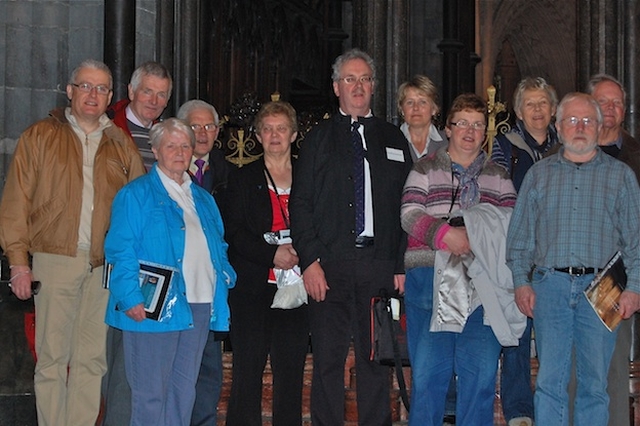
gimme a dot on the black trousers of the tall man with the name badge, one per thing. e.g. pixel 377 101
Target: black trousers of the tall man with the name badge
pixel 342 315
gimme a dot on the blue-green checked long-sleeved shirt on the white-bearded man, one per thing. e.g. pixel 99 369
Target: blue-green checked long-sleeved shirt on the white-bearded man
pixel 570 214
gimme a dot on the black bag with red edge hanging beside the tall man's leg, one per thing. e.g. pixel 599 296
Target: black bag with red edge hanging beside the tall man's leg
pixel 389 336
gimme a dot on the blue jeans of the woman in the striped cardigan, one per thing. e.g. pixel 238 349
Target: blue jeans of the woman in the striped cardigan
pixel 472 355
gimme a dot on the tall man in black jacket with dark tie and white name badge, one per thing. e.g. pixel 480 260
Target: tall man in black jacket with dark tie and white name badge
pixel 345 225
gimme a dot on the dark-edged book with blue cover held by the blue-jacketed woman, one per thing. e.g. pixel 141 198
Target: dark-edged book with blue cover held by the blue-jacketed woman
pixel 155 280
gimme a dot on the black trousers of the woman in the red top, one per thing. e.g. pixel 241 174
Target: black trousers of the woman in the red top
pixel 256 332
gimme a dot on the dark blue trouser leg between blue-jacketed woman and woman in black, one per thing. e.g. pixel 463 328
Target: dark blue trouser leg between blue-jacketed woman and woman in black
pixel 209 384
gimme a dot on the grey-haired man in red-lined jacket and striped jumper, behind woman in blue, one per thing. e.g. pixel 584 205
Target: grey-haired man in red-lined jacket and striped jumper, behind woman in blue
pixel 149 92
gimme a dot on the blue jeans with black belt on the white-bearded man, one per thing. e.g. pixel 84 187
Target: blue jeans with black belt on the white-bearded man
pixel 564 321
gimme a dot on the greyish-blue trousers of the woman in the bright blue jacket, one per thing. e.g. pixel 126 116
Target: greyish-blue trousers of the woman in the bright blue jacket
pixel 162 369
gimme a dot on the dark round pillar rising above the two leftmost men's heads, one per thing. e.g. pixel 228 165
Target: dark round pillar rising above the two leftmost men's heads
pixel 119 43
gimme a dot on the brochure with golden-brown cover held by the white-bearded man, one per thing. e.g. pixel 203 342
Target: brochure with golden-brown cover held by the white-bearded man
pixel 603 293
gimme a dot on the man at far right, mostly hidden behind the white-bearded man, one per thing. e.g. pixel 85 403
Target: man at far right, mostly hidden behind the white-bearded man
pixel 617 142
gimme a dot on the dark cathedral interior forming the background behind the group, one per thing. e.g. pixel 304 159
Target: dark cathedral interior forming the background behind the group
pixel 238 54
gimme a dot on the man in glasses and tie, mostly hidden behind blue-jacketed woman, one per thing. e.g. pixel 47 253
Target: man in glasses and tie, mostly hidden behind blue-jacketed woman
pixel 208 169
